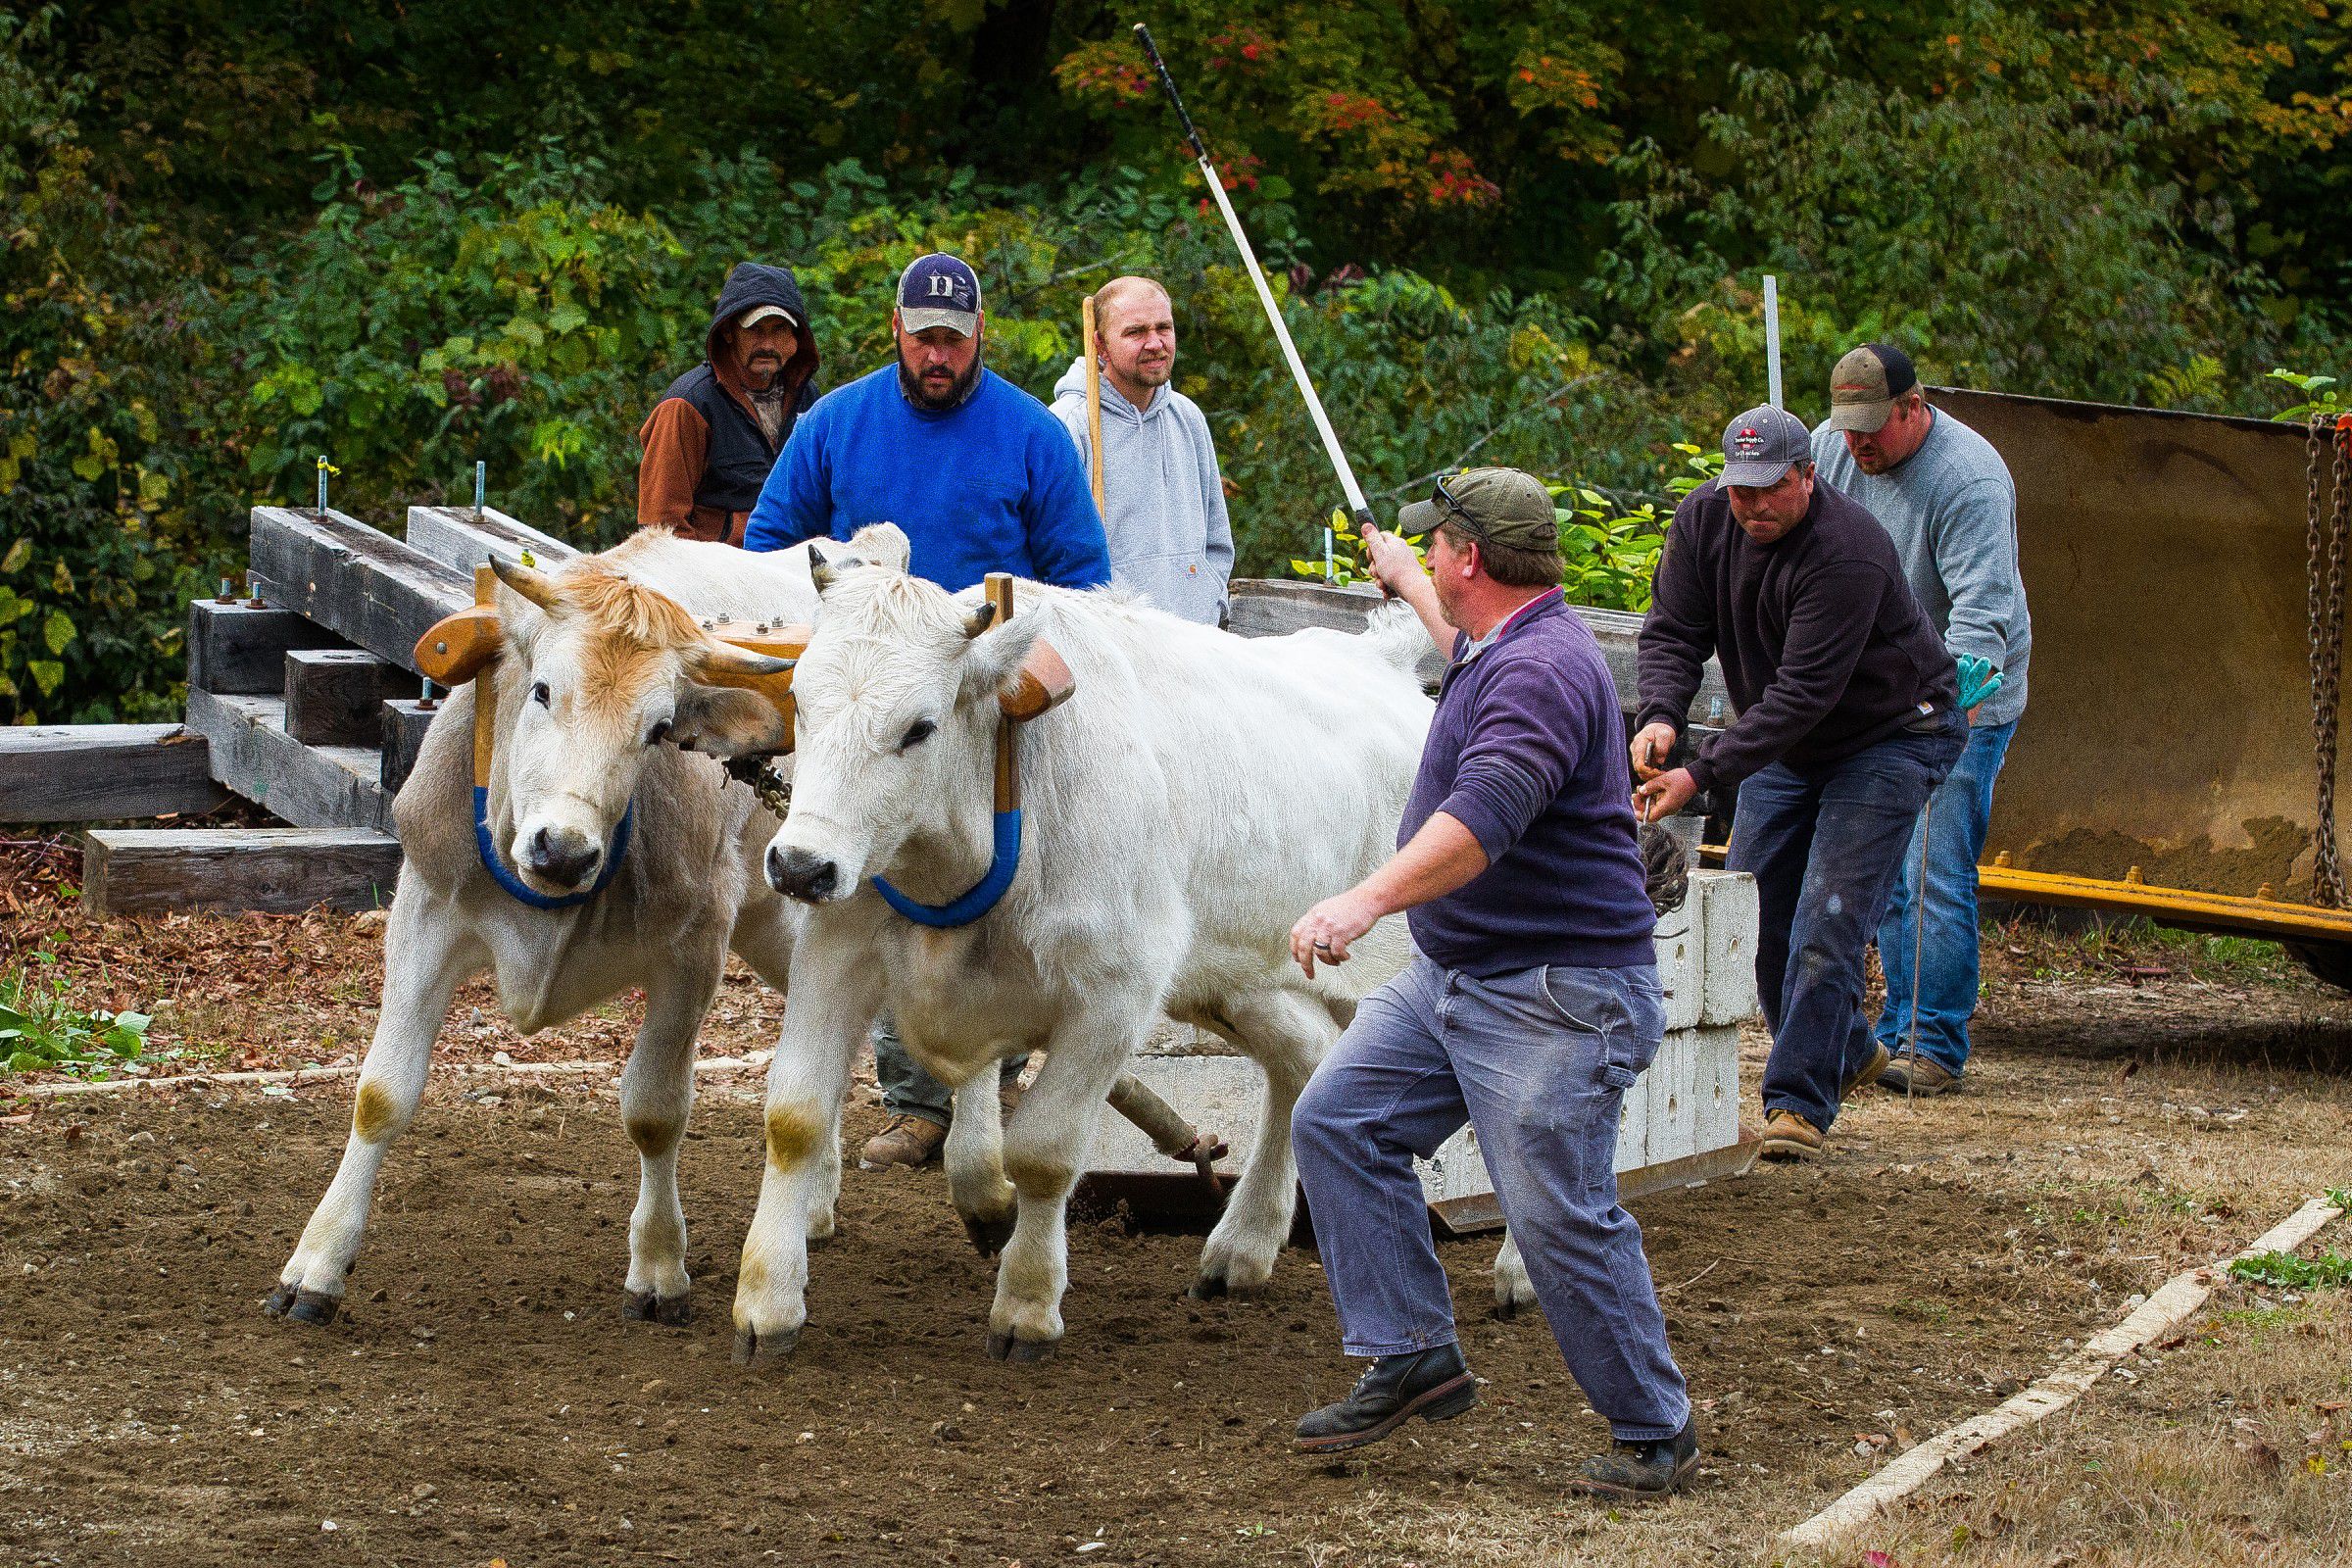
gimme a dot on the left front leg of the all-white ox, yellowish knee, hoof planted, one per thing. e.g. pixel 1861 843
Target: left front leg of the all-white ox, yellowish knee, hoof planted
pixel 824 1026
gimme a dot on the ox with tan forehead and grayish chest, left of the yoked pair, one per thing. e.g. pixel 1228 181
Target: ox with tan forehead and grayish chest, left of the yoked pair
pixel 601 666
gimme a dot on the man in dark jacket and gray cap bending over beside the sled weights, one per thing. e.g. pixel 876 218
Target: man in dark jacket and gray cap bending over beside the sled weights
pixel 1847 723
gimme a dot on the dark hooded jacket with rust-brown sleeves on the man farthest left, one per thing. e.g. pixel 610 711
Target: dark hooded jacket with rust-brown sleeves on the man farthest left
pixel 704 448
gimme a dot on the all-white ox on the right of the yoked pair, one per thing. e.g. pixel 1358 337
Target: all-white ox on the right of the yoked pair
pixel 1182 810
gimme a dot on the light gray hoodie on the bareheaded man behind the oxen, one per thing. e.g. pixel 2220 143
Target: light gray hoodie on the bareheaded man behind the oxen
pixel 1163 500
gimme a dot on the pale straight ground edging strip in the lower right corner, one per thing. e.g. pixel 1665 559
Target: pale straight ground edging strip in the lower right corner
pixel 2174 1304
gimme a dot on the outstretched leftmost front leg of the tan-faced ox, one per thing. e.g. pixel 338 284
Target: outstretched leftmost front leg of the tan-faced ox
pixel 427 951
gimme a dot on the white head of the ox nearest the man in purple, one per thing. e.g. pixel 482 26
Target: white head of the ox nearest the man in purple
pixel 897 699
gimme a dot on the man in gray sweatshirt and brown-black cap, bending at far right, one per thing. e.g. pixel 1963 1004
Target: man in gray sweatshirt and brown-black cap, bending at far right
pixel 1944 495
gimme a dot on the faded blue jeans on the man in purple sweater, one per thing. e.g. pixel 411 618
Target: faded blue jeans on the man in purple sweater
pixel 1539 1064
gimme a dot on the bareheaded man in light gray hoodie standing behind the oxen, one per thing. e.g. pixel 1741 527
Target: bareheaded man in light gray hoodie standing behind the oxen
pixel 1163 500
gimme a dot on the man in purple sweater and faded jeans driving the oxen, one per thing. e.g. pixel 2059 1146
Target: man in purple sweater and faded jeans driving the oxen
pixel 1530 1010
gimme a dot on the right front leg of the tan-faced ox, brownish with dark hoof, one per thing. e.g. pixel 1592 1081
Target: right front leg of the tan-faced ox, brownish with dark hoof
pixel 657 1092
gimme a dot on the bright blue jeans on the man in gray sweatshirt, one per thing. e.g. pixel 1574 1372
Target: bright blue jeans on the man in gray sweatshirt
pixel 1942 927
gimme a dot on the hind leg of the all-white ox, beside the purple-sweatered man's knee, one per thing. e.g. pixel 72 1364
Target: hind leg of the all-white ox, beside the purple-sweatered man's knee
pixel 1288 1033
